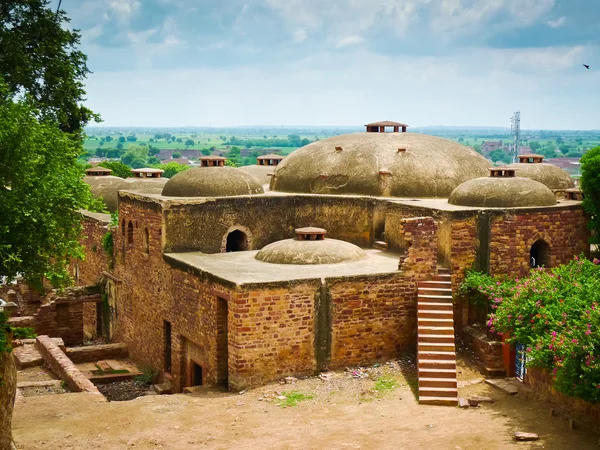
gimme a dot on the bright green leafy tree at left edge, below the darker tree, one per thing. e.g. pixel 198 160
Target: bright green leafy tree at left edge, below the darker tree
pixel 41 191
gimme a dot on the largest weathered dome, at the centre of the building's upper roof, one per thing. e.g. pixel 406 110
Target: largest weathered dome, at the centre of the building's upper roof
pixel 379 164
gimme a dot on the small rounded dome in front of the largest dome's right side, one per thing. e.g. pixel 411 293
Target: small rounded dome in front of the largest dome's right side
pixel 499 192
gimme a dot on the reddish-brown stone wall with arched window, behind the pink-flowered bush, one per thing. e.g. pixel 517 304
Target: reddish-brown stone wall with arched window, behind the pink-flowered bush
pixel 513 234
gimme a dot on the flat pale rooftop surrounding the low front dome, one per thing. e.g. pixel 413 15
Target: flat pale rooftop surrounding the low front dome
pixel 241 267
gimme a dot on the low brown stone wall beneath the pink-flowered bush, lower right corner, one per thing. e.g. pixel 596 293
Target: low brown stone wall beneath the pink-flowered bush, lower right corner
pixel 538 384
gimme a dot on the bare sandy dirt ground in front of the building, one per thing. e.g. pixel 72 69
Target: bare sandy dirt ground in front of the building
pixel 372 408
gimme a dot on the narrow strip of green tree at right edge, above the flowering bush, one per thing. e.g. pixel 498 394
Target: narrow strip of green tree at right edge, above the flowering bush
pixel 590 184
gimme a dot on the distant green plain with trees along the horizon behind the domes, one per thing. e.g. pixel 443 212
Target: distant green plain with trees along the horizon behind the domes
pixel 176 149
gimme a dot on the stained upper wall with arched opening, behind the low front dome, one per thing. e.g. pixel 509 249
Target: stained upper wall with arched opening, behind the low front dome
pixel 203 226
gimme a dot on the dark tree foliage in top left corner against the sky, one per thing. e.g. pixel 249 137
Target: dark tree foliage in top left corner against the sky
pixel 39 57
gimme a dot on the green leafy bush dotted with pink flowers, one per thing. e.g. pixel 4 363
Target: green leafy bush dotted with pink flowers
pixel 556 314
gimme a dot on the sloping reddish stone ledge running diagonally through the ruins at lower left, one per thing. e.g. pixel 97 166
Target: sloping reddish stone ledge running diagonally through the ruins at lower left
pixel 62 366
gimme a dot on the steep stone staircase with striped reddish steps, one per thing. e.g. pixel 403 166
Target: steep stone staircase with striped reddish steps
pixel 436 350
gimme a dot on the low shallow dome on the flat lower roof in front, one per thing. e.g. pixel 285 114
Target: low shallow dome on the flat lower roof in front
pixel 328 251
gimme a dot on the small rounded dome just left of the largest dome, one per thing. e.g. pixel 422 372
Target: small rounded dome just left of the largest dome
pixel 212 182
